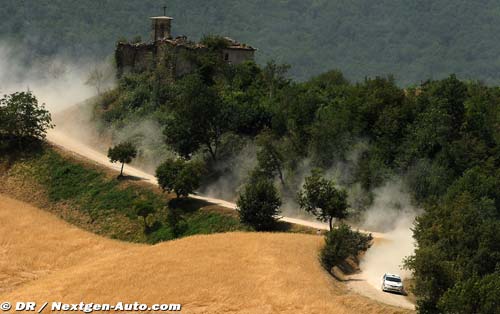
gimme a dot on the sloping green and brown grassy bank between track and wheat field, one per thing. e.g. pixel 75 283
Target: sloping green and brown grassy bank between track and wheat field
pixel 93 198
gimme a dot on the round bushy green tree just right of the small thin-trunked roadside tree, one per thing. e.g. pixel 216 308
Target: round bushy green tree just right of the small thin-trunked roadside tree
pixel 179 176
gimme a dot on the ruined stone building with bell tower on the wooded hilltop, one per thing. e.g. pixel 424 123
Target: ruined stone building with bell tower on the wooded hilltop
pixel 172 53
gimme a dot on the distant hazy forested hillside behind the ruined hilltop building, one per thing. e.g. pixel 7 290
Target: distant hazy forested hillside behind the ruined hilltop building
pixel 414 40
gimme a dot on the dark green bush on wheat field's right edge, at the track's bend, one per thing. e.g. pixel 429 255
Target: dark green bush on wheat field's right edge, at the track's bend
pixel 342 242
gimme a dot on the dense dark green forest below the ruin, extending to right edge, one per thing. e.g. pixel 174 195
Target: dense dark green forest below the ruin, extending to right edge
pixel 442 137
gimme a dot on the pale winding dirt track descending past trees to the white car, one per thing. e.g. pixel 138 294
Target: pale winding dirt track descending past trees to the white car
pixel 361 283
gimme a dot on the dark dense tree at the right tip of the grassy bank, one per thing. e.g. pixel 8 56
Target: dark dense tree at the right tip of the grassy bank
pixel 259 203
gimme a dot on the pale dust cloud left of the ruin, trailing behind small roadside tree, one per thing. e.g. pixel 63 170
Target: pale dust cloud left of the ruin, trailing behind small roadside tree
pixel 69 87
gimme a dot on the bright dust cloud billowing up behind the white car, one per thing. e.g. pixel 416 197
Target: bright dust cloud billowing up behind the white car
pixel 387 211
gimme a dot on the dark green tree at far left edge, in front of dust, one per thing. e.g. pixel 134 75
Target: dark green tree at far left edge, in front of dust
pixel 22 119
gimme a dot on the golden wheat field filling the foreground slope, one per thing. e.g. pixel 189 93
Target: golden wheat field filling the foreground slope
pixel 42 258
